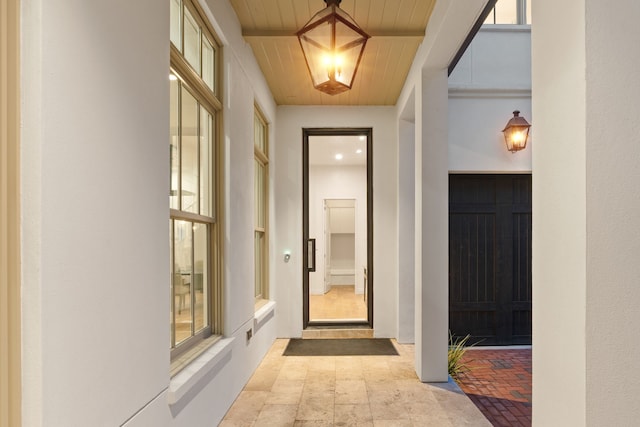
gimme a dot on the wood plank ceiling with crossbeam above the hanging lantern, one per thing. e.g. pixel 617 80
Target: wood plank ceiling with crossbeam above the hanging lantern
pixel 397 28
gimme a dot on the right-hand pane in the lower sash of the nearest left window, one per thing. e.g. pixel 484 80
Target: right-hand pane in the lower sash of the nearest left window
pixel 200 275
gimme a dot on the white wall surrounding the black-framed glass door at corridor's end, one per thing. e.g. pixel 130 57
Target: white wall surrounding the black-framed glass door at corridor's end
pixel 288 203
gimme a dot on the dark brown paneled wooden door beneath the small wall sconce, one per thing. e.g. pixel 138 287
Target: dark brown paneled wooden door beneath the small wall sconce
pixel 490 258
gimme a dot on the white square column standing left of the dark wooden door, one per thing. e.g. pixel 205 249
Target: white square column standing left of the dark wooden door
pixel 432 235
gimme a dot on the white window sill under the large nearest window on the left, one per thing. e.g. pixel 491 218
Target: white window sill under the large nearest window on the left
pixel 209 360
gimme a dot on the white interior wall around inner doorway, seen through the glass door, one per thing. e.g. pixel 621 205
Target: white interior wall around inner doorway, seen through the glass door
pixel 341 182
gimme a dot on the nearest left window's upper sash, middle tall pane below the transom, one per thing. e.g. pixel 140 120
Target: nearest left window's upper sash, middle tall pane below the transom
pixel 189 153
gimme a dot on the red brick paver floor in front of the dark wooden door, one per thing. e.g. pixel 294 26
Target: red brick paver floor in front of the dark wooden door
pixel 499 383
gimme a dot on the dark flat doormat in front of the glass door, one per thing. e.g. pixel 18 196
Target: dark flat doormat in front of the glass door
pixel 340 347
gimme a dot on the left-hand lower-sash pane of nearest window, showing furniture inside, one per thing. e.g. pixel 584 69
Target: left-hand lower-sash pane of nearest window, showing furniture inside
pixel 182 282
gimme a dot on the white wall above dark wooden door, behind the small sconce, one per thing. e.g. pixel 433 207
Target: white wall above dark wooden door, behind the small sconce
pixel 491 80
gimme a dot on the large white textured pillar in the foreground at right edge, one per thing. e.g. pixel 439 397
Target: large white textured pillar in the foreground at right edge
pixel 585 197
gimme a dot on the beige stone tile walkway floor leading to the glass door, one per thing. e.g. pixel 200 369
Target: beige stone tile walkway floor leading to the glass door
pixel 348 391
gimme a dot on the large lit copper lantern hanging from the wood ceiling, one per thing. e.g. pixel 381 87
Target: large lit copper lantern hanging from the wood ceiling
pixel 332 45
